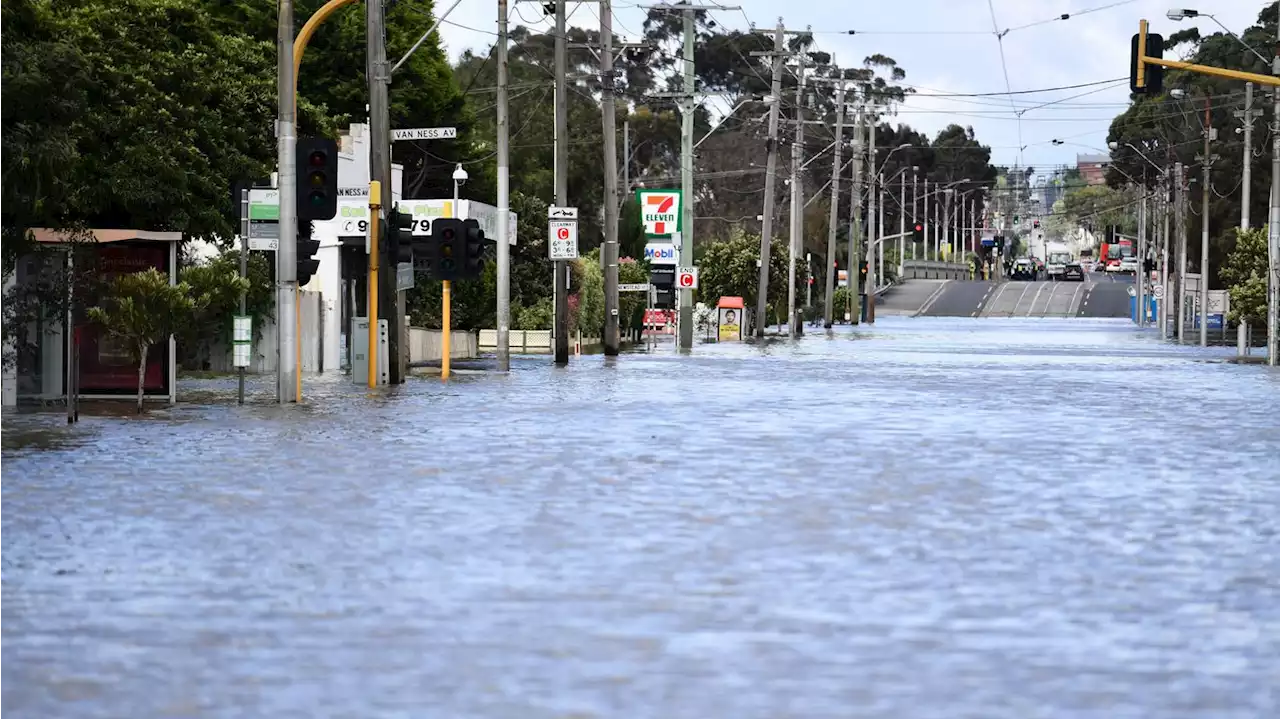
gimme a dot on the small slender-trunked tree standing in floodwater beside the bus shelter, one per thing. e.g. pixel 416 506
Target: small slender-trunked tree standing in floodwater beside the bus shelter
pixel 143 310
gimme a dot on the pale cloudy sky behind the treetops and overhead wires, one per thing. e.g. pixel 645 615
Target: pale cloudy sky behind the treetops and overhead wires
pixel 947 48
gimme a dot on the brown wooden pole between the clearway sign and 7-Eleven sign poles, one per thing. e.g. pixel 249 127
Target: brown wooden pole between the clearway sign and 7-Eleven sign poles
pixel 610 253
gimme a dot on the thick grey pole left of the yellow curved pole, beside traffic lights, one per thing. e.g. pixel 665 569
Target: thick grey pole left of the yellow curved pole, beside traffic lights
pixel 287 246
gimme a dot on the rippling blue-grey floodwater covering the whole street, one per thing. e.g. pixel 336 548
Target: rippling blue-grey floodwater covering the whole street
pixel 932 519
